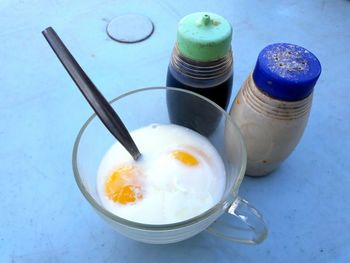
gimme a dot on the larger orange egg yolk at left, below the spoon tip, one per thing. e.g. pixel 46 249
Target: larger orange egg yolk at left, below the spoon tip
pixel 123 185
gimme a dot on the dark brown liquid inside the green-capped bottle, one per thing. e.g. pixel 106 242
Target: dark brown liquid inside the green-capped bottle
pixel 193 112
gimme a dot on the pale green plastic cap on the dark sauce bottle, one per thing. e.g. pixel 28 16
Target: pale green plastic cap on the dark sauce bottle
pixel 204 36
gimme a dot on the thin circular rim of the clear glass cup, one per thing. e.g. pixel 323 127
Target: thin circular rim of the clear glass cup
pixel 222 203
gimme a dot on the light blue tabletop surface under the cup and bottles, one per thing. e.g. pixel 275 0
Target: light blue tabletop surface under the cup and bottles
pixel 44 217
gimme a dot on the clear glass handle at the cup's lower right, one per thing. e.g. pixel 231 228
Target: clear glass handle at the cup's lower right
pixel 250 228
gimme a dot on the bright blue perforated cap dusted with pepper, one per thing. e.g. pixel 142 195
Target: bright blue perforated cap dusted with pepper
pixel 286 71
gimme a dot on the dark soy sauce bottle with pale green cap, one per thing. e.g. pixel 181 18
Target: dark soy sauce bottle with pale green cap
pixel 201 62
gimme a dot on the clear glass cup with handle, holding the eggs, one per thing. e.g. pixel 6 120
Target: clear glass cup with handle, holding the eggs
pixel 232 218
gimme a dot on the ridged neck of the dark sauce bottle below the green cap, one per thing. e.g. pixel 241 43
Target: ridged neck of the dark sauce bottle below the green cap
pixel 199 73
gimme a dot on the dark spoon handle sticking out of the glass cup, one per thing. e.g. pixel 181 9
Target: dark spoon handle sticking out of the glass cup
pixel 96 100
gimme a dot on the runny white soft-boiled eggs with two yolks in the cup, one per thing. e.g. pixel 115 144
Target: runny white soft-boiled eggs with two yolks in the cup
pixel 179 176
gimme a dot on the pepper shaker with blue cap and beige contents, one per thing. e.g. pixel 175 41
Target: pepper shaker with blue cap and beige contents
pixel 273 104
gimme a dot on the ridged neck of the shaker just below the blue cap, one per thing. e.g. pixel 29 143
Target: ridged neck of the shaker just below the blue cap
pixel 273 108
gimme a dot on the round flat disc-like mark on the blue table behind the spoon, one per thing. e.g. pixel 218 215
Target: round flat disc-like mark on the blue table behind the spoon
pixel 130 28
